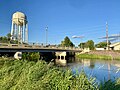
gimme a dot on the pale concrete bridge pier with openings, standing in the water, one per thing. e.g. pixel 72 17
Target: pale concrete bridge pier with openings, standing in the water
pixel 61 58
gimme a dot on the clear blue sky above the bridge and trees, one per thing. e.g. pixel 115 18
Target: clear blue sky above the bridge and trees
pixel 64 18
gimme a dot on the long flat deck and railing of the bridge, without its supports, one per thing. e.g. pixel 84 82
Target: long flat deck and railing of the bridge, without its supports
pixel 34 48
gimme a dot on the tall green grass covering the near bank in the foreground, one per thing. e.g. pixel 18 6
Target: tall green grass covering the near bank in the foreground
pixel 30 75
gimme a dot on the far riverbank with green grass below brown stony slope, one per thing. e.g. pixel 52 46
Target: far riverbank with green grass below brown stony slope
pixel 106 55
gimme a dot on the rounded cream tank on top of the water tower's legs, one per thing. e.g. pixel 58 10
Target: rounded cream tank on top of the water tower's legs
pixel 19 18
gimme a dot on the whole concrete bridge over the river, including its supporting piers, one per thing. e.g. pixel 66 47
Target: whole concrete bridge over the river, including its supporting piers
pixel 61 53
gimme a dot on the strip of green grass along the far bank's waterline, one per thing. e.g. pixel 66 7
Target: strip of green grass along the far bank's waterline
pixel 94 56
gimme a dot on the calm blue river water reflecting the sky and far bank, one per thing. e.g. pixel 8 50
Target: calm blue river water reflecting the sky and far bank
pixel 102 70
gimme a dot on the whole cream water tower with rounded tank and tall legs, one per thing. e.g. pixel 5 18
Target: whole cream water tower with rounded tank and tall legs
pixel 19 29
